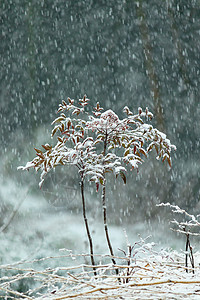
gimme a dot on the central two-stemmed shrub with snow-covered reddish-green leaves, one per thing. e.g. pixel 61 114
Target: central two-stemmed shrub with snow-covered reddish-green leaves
pixel 97 143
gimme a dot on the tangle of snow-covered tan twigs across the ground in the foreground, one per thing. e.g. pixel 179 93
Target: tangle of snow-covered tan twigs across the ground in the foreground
pixel 158 275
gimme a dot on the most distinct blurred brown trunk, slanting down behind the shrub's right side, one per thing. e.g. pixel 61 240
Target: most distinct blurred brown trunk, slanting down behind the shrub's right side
pixel 158 111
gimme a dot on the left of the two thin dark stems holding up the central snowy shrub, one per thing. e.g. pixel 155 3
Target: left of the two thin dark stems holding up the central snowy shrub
pixel 87 227
